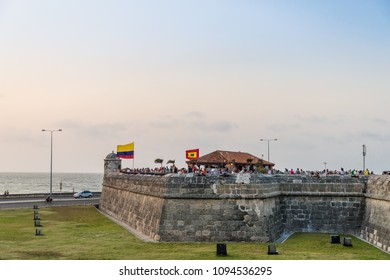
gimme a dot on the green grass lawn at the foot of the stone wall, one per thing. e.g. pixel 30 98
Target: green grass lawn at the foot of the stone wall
pixel 82 233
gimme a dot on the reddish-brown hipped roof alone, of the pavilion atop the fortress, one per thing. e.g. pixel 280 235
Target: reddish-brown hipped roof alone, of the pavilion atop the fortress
pixel 220 157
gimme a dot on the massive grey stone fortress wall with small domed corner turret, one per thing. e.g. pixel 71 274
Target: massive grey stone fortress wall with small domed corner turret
pixel 256 207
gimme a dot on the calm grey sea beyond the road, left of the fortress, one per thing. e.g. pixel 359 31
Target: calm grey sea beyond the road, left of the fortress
pixel 27 183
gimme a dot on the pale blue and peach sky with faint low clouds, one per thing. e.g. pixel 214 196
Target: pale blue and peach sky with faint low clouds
pixel 177 75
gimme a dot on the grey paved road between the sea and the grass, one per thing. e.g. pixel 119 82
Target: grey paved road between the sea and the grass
pixel 28 201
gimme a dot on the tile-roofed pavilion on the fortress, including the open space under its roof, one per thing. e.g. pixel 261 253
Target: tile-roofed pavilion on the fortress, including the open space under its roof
pixel 231 160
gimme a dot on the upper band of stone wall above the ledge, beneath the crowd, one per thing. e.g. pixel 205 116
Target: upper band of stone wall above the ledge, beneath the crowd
pixel 213 186
